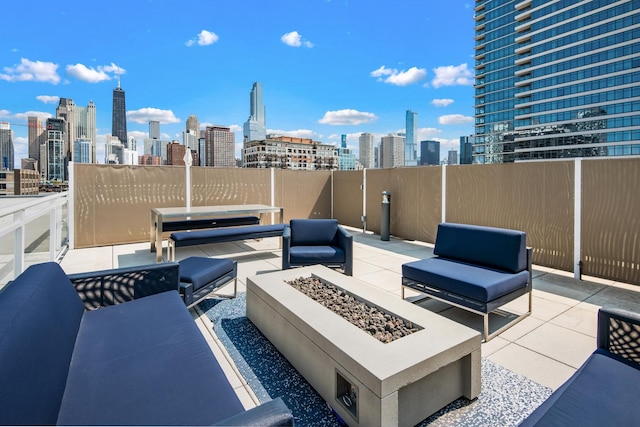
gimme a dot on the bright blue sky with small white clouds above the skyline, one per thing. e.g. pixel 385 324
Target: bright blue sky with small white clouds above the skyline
pixel 327 67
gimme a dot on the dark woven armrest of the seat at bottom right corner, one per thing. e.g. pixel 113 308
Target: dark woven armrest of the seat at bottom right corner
pixel 619 333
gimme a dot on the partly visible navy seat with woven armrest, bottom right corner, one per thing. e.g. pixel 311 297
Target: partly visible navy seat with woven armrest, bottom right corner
pixel 605 389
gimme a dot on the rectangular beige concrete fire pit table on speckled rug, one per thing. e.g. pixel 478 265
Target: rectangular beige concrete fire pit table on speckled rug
pixel 367 382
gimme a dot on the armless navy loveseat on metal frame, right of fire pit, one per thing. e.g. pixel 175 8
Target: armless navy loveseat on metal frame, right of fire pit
pixel 476 268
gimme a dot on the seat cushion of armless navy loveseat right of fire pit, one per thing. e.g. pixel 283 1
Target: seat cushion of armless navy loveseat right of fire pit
pixel 478 283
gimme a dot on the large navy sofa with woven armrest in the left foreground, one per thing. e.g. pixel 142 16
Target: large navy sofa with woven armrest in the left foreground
pixel 133 362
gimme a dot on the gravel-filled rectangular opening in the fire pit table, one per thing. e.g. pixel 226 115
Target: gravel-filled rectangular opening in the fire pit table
pixel 385 327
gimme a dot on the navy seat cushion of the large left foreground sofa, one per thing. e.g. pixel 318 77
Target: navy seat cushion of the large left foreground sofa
pixel 145 362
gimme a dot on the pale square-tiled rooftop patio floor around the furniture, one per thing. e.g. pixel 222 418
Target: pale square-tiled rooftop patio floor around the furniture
pixel 547 347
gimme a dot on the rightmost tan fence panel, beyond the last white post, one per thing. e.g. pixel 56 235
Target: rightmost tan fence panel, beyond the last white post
pixel 611 219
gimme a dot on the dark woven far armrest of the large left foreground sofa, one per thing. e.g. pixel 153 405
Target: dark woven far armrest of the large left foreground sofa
pixel 110 287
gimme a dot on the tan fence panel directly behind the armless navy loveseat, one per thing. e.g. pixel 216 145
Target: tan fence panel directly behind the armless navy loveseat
pixel 533 197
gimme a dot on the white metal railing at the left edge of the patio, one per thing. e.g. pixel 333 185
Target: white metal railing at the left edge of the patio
pixel 32 230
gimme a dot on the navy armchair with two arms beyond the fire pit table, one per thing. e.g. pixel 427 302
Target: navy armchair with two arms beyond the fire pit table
pixel 317 241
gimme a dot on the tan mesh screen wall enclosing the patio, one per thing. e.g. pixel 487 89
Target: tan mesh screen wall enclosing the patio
pixel 112 203
